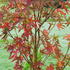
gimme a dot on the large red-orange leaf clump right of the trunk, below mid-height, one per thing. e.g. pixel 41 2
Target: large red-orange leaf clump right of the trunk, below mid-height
pixel 51 49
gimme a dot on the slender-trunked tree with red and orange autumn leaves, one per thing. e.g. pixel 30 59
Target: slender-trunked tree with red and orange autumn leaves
pixel 28 17
